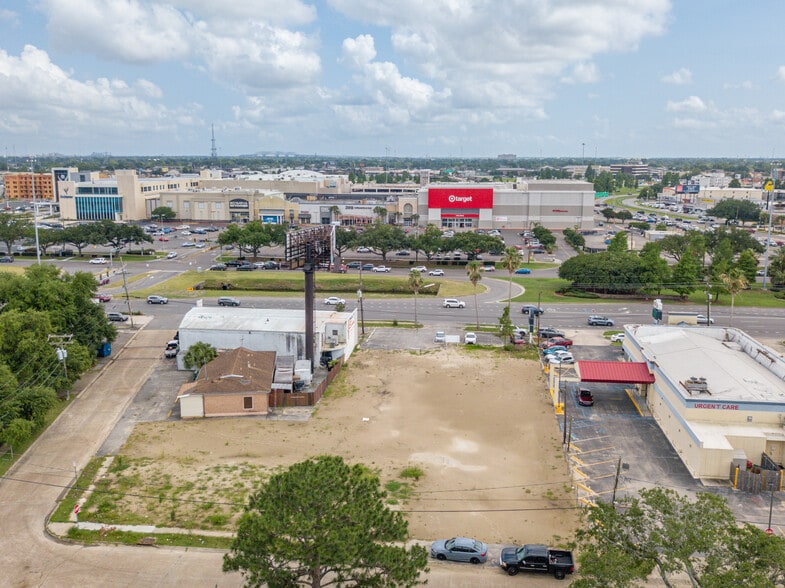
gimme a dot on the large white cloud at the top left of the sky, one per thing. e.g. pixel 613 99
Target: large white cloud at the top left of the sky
pixel 237 42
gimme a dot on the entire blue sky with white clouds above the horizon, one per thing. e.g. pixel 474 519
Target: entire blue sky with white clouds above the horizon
pixel 404 78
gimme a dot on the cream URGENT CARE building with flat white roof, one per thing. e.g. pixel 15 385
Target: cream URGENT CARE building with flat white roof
pixel 718 394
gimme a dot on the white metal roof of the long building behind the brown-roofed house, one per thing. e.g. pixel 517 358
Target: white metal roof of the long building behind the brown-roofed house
pixel 274 320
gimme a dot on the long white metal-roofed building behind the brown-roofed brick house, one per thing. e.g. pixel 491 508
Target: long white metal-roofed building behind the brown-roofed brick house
pixel 268 329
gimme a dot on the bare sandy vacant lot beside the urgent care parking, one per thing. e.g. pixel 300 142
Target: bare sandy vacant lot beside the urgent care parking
pixel 479 424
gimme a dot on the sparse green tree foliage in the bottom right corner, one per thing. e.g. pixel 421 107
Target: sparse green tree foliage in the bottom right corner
pixel 674 535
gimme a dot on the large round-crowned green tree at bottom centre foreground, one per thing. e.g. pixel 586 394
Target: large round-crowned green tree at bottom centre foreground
pixel 324 522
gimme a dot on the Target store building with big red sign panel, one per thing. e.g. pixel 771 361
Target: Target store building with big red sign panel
pixel 554 204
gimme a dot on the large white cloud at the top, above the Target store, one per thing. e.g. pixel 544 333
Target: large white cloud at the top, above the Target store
pixel 506 58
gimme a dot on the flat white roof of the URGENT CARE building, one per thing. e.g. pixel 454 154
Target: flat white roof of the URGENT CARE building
pixel 735 366
